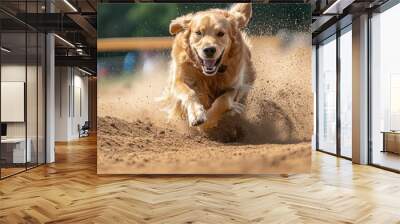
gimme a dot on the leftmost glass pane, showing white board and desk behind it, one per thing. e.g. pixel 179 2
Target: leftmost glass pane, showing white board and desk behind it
pixel 13 89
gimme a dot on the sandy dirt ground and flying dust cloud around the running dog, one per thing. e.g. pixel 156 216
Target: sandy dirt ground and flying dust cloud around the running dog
pixel 272 137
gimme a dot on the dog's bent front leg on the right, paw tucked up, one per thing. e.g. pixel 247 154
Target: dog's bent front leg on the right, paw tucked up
pixel 221 105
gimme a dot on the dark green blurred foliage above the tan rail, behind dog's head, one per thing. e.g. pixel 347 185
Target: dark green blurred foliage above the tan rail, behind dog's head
pixel 152 19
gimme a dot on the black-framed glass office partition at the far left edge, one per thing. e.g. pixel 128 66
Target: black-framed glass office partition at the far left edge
pixel 22 77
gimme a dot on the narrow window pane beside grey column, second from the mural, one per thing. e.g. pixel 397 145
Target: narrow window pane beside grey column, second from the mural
pixel 346 93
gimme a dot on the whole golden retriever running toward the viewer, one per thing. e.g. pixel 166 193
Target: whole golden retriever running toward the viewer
pixel 212 70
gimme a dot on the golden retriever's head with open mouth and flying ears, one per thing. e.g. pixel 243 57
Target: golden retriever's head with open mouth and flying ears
pixel 211 34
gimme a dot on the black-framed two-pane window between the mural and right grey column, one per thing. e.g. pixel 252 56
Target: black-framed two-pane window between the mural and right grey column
pixel 334 93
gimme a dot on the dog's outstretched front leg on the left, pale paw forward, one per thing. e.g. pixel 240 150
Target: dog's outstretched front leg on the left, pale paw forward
pixel 196 114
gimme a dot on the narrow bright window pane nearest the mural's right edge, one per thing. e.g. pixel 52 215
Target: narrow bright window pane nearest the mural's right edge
pixel 327 96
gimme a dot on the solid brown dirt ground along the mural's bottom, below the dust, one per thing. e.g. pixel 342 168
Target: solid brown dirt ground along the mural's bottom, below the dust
pixel 142 147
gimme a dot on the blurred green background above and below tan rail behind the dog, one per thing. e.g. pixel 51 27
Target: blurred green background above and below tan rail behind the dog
pixel 152 20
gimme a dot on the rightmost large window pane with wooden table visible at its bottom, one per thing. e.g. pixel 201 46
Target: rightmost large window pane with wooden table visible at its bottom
pixel 386 89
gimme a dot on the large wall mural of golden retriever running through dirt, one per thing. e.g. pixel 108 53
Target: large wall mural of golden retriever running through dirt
pixel 204 88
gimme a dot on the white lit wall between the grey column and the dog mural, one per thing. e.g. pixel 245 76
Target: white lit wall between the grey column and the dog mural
pixel 70 83
